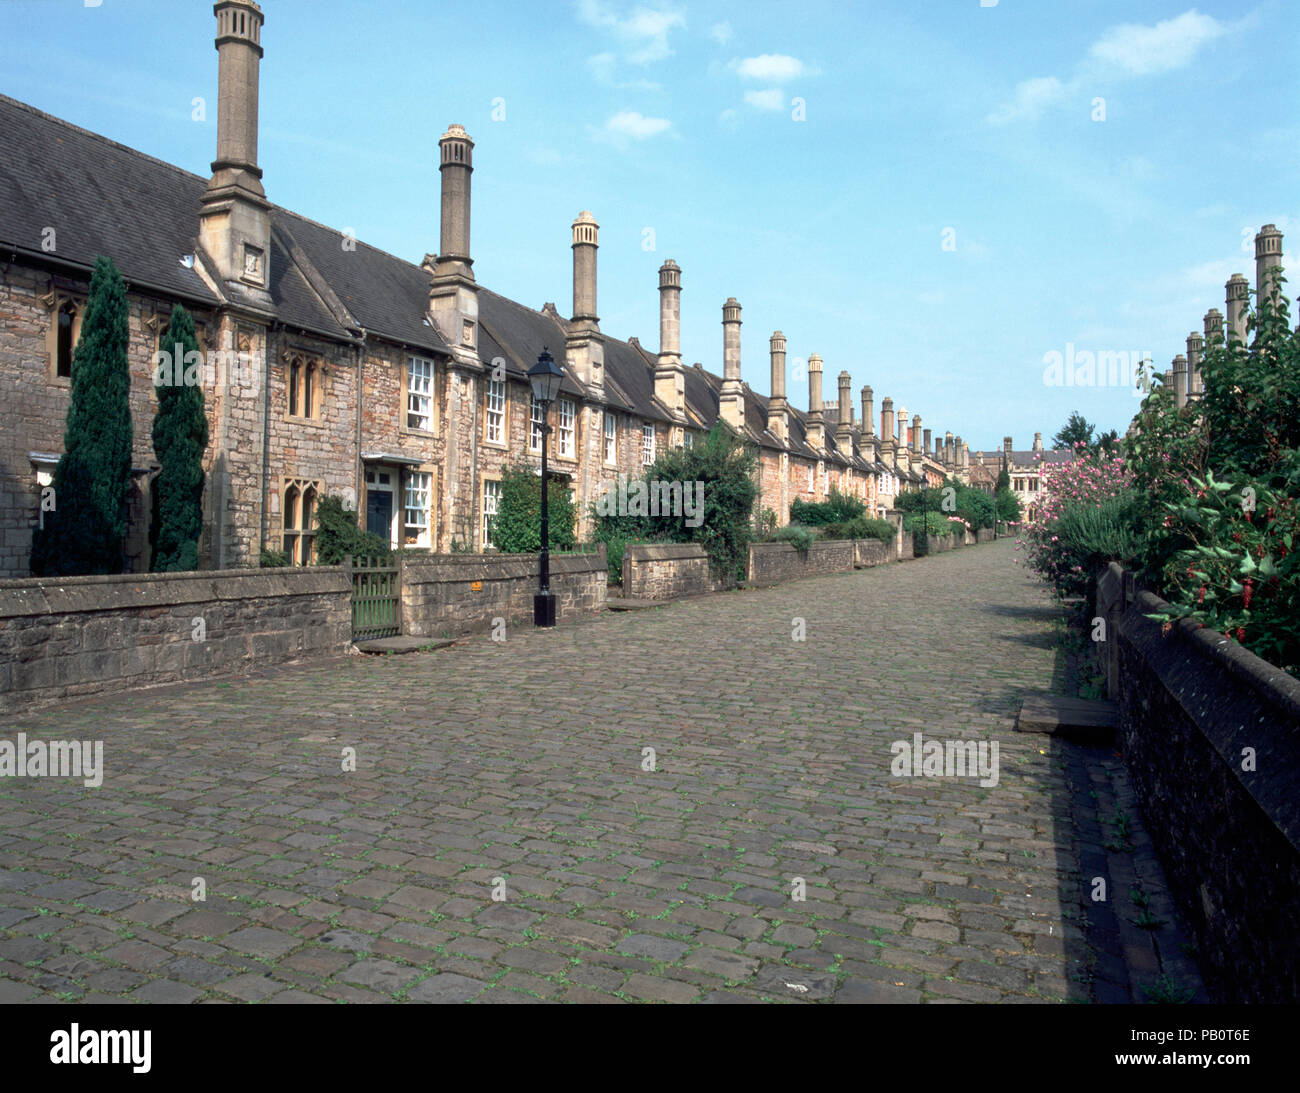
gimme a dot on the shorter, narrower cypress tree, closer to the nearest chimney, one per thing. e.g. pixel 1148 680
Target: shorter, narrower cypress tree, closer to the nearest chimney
pixel 180 439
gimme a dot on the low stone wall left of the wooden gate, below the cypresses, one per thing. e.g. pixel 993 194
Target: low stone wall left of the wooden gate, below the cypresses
pixel 77 636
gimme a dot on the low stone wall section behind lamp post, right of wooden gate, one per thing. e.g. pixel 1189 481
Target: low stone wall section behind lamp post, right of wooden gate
pixel 440 597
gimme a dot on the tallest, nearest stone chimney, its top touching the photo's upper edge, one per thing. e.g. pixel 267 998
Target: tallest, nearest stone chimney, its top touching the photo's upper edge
pixel 235 216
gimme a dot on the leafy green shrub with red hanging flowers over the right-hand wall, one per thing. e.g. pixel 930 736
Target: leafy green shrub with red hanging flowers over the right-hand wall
pixel 1221 479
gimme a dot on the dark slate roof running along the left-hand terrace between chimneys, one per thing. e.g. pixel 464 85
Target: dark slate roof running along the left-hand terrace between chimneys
pixel 106 198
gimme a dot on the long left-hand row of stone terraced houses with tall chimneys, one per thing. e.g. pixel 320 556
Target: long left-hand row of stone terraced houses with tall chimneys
pixel 333 368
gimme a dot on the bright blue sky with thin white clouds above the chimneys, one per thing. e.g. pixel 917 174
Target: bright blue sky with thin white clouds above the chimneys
pixel 1111 235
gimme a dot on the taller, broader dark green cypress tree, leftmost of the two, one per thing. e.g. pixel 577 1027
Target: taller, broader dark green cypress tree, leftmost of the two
pixel 93 483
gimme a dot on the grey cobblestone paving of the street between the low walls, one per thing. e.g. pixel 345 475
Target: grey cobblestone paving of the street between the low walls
pixel 521 766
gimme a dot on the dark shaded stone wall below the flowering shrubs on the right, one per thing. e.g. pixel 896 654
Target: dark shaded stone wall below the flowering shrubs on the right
pixel 1211 735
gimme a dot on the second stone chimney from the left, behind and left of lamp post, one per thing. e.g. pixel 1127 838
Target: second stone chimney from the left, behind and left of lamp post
pixel 453 293
